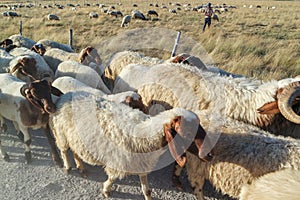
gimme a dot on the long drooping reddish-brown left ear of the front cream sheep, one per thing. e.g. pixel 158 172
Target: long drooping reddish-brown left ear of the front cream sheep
pixel 181 160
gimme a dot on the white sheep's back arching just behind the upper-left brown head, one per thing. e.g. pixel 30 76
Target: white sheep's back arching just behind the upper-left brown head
pixel 43 69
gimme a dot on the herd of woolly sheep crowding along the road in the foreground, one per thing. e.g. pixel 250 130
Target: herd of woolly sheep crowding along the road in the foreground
pixel 239 133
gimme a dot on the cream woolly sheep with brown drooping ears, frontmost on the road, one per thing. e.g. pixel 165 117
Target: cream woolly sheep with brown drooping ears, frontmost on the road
pixel 124 140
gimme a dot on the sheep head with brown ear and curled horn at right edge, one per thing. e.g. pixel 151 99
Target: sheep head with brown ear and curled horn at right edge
pixel 287 103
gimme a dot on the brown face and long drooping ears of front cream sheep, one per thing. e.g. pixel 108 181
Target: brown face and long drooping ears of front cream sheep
pixel 178 144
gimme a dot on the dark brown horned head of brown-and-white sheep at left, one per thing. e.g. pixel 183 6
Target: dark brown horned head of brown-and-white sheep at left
pixel 38 93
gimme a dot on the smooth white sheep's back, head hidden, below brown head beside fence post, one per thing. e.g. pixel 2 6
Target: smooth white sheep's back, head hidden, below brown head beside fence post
pixel 82 73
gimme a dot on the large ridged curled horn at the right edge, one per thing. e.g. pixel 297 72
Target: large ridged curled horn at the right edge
pixel 285 101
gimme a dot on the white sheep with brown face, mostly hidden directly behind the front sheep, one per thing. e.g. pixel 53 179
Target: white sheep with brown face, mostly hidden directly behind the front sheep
pixel 68 84
